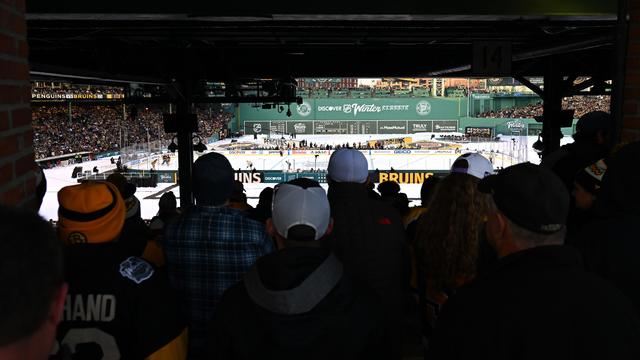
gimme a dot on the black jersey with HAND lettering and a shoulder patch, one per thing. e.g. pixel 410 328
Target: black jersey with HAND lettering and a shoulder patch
pixel 118 307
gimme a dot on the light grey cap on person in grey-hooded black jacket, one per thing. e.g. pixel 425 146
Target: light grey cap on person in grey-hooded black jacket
pixel 296 205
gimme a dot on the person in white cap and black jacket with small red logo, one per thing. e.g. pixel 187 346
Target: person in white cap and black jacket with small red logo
pixel 369 237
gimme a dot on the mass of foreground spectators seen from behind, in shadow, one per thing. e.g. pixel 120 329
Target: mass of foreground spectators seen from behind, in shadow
pixel 491 265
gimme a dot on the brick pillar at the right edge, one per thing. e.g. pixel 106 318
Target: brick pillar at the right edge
pixel 631 110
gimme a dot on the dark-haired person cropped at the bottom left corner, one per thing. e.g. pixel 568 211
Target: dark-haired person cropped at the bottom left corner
pixel 32 287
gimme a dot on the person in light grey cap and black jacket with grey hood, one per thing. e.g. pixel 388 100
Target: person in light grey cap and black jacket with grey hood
pixel 298 302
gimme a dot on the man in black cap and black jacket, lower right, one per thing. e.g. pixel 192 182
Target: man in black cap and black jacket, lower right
pixel 537 303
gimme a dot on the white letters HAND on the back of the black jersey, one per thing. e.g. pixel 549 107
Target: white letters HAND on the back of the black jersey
pixel 93 307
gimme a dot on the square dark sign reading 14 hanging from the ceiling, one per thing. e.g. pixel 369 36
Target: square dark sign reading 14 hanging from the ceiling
pixel 491 58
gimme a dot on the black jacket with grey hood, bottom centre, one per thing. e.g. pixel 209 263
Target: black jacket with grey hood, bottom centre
pixel 298 304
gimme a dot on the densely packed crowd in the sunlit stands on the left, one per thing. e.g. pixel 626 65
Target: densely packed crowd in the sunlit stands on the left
pixel 60 130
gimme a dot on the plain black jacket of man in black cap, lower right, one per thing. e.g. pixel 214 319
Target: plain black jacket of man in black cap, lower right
pixel 537 304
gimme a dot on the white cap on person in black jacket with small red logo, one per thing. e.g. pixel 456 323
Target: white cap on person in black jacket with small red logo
pixel 348 165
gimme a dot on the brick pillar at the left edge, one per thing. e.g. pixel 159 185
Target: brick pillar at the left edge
pixel 17 180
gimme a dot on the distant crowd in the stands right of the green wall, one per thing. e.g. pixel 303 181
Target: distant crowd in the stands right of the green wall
pixel 581 105
